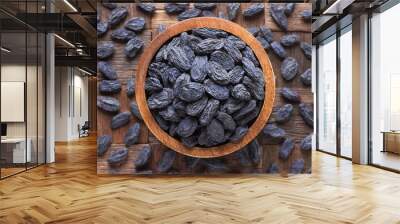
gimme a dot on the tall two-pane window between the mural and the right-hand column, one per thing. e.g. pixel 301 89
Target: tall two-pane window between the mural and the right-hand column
pixel 334 86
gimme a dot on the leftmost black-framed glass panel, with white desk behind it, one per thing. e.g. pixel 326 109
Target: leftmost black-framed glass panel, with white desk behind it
pixel 13 85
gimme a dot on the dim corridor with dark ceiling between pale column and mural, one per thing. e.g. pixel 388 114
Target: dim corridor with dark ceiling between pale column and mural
pixel 75 78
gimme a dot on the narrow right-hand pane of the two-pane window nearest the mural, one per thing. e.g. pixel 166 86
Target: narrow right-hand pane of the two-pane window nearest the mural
pixel 346 93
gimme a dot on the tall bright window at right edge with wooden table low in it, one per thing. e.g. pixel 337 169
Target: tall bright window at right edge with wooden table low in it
pixel 385 89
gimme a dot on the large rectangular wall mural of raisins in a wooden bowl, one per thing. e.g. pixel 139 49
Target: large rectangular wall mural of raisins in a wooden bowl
pixel 204 88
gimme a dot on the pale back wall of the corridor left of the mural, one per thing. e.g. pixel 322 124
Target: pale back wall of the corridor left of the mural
pixel 70 83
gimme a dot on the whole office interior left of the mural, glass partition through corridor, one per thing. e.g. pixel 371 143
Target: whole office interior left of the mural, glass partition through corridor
pixel 27 59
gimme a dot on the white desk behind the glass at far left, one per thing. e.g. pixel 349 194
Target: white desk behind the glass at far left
pixel 13 150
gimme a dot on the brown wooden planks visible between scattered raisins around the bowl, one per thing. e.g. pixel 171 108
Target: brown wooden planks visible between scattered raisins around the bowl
pixel 295 128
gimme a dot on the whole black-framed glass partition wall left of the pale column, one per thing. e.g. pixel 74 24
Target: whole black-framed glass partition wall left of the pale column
pixel 22 77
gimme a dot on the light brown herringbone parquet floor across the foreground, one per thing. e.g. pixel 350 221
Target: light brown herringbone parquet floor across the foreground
pixel 69 191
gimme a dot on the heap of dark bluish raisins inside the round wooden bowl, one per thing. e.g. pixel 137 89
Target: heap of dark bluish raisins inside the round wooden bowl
pixel 205 87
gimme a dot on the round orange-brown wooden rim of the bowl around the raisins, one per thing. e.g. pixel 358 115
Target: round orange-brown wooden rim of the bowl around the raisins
pixel 186 25
